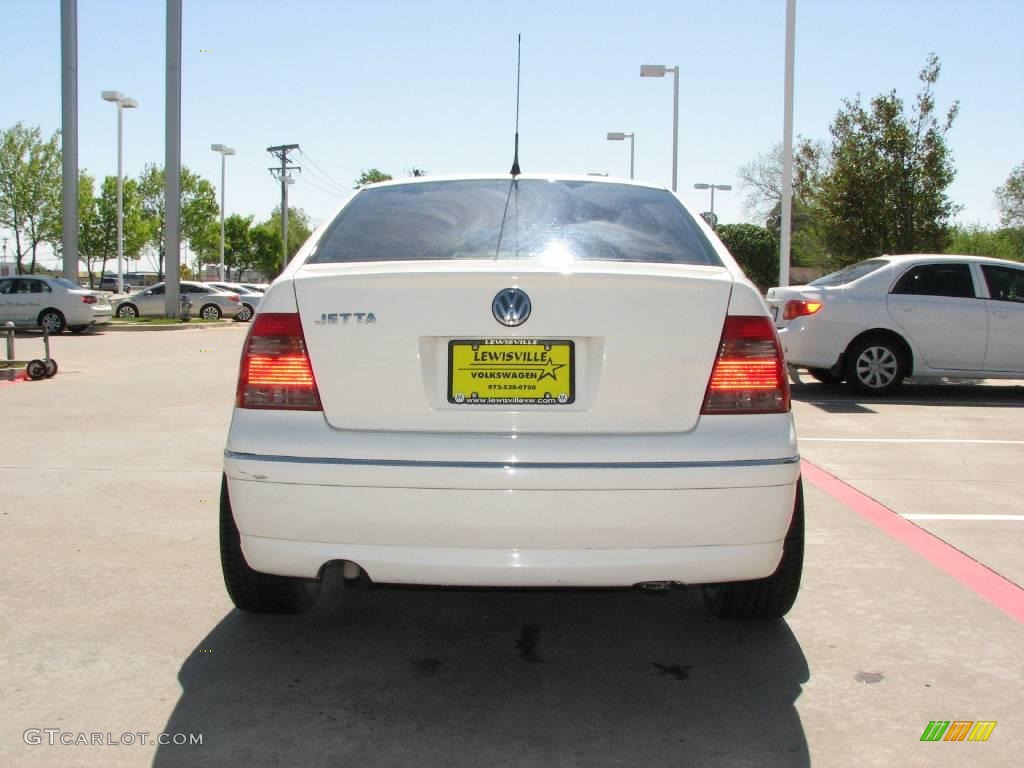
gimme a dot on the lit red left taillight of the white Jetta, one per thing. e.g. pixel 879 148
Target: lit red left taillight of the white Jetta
pixel 276 371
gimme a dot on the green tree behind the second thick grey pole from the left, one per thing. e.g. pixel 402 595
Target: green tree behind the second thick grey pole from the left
pixel 200 227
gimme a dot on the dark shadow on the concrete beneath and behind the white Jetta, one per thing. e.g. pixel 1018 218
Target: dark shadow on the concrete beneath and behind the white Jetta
pixel 406 677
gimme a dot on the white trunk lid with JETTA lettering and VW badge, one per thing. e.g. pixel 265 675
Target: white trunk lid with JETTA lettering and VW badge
pixel 644 339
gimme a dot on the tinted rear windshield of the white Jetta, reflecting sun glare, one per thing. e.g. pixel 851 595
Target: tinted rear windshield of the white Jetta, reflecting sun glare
pixel 527 220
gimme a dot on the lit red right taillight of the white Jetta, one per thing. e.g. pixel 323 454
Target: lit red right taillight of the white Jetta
pixel 749 376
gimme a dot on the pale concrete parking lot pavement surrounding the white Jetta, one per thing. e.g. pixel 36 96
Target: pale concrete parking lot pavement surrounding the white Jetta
pixel 116 621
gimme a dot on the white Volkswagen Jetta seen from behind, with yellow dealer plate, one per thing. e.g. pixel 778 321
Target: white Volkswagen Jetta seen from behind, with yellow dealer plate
pixel 514 382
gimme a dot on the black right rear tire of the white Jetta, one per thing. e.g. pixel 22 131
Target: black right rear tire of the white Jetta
pixel 772 598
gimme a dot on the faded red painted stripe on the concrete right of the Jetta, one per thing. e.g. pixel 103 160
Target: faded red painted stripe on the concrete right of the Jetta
pixel 1001 592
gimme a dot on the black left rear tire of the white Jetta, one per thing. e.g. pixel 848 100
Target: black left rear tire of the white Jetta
pixel 251 591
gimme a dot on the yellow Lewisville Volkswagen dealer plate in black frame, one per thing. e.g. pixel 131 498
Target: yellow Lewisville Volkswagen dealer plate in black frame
pixel 511 372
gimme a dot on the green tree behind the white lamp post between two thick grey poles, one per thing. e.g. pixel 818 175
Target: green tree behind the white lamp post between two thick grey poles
pixel 98 218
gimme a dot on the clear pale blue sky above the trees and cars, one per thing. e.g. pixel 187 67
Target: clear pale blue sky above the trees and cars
pixel 432 84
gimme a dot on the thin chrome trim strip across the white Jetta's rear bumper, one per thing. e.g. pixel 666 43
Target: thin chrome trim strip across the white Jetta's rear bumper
pixel 508 465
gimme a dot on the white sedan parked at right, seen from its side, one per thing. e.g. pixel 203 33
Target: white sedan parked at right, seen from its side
pixel 880 321
